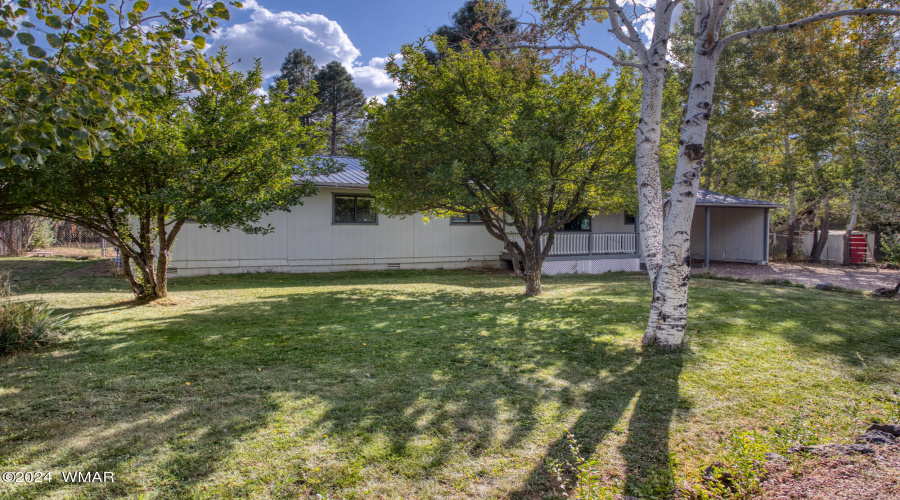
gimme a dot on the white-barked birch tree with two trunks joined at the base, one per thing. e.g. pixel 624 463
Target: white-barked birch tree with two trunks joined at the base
pixel 665 224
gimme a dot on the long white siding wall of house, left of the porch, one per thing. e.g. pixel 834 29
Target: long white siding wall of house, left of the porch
pixel 305 240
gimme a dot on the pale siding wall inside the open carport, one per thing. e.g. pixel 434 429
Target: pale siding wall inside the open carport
pixel 736 234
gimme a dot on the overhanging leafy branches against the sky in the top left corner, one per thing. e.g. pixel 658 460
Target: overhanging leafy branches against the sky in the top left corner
pixel 66 70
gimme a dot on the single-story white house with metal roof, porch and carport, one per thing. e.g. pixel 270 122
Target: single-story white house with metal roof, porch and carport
pixel 338 230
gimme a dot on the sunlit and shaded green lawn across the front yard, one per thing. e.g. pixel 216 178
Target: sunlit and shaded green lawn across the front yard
pixel 438 384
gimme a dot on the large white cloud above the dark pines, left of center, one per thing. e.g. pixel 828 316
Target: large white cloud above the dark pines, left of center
pixel 269 36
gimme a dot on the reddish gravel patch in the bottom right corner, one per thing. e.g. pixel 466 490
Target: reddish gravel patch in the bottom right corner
pixel 875 476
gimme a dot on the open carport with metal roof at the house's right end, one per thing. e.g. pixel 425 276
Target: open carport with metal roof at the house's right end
pixel 730 228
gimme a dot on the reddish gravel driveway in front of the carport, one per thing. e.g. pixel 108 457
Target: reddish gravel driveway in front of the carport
pixel 859 278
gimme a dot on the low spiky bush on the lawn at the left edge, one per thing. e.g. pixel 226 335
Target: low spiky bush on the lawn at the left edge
pixel 26 323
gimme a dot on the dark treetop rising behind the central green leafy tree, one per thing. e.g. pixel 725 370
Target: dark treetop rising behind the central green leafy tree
pixel 478 23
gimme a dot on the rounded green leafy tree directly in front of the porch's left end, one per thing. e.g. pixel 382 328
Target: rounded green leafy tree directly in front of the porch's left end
pixel 504 138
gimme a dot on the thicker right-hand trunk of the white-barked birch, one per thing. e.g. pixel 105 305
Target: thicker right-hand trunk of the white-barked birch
pixel 668 313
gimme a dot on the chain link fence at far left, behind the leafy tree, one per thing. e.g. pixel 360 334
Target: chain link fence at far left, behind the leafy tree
pixel 42 236
